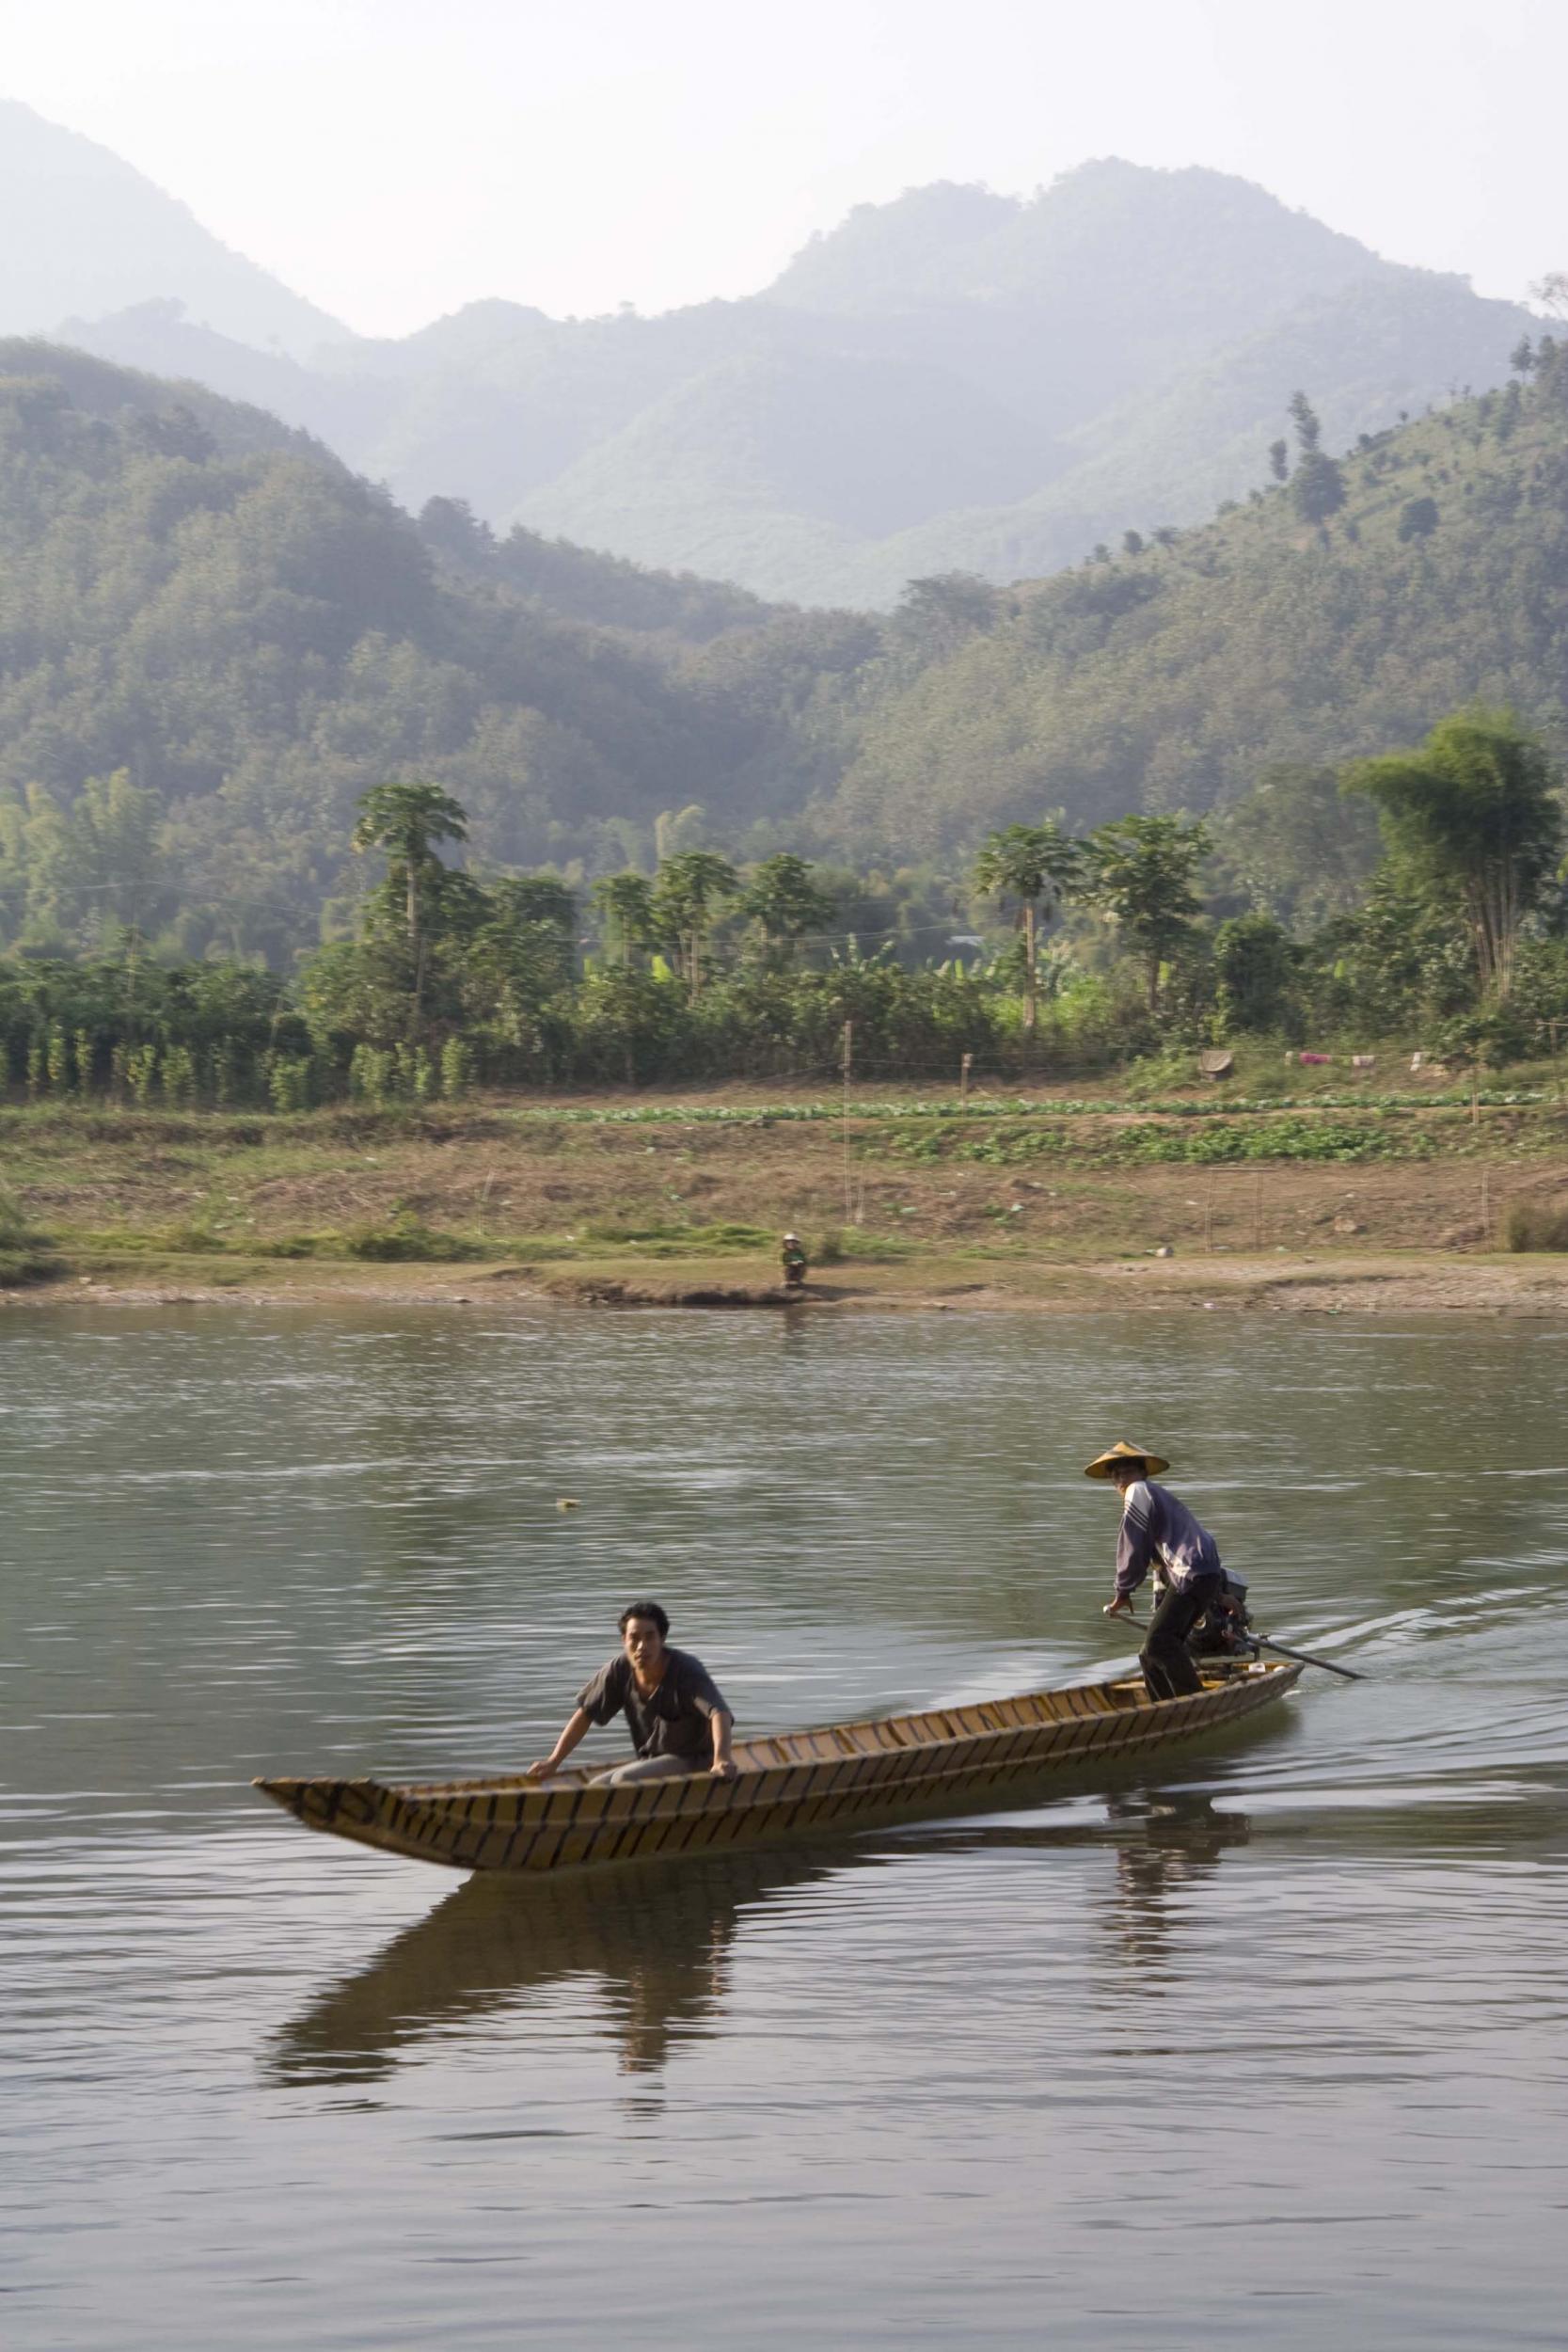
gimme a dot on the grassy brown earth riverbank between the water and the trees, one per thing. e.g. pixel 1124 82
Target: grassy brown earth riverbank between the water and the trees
pixel 925 1201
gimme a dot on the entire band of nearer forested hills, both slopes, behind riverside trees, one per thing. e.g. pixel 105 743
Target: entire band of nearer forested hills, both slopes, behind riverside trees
pixel 215 639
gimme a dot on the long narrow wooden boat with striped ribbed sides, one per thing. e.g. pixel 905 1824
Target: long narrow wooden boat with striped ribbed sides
pixel 789 1784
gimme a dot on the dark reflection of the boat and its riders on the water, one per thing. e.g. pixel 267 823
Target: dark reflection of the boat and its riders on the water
pixel 662 1939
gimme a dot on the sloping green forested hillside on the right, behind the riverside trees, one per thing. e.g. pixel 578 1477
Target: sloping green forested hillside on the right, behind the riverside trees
pixel 1327 617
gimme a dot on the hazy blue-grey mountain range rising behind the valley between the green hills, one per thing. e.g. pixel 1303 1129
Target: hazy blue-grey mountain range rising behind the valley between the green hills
pixel 956 380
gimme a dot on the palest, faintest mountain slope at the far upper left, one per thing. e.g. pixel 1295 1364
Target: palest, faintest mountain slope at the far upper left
pixel 91 236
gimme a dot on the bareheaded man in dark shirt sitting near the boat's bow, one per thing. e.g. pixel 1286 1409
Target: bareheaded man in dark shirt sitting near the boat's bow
pixel 671 1702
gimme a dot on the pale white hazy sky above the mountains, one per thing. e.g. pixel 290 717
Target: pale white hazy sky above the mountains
pixel 396 159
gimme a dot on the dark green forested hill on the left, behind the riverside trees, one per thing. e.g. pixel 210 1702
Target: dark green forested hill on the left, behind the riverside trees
pixel 234 636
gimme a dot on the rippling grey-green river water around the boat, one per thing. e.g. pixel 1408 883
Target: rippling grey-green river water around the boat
pixel 1271 2047
